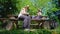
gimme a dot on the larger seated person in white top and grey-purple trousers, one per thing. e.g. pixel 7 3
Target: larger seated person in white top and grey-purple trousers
pixel 25 15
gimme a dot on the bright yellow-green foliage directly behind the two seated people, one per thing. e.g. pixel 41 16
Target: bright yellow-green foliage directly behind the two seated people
pixel 34 5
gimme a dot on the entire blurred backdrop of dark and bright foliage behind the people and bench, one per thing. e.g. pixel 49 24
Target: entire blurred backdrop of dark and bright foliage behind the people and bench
pixel 50 8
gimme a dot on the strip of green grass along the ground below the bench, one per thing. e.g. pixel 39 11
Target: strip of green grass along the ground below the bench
pixel 35 31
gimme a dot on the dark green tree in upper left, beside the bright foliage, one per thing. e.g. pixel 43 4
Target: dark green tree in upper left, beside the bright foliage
pixel 7 7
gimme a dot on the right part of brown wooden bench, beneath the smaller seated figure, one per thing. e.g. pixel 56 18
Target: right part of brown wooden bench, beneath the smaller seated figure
pixel 41 21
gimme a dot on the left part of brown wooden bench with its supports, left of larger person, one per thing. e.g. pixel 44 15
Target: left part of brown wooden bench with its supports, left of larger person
pixel 9 25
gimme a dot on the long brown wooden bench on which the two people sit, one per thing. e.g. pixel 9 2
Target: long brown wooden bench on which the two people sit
pixel 14 20
